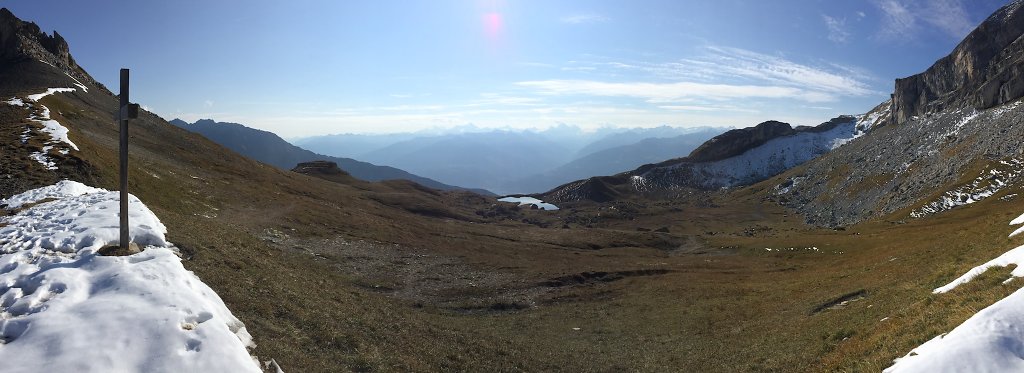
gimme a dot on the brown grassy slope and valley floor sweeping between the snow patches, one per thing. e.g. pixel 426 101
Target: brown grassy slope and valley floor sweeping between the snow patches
pixel 727 305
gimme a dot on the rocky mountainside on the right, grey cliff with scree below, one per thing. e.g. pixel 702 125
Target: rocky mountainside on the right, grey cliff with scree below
pixel 952 139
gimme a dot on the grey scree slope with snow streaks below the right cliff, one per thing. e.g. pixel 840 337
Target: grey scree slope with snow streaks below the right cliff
pixel 900 167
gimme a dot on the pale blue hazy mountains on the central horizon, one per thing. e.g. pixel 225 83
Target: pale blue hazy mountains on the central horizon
pixel 517 162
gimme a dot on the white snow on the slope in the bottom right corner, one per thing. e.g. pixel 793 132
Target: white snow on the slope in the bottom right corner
pixel 993 341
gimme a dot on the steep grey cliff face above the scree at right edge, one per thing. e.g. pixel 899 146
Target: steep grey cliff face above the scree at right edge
pixel 986 70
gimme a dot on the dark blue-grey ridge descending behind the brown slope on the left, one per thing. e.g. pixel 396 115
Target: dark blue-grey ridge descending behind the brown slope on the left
pixel 271 149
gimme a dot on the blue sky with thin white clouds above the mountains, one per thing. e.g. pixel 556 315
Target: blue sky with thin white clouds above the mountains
pixel 305 68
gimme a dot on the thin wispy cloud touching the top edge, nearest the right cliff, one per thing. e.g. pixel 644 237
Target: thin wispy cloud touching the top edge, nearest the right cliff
pixel 906 20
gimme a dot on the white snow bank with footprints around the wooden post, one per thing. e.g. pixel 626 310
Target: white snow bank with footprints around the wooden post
pixel 64 309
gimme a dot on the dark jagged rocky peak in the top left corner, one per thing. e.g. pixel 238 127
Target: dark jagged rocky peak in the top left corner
pixel 21 40
